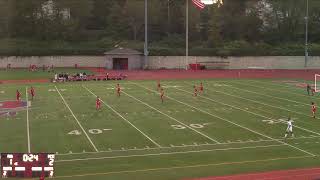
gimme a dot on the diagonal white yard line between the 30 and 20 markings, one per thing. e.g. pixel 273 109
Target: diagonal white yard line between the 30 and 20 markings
pixel 232 123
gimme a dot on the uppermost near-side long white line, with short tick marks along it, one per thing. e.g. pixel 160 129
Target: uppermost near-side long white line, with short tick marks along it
pixel 186 146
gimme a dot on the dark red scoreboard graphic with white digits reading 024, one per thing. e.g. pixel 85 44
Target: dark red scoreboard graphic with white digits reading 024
pixel 27 165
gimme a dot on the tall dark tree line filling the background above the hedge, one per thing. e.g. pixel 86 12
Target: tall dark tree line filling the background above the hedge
pixel 245 25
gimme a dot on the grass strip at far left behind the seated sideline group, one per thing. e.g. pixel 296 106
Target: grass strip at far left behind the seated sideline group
pixel 25 74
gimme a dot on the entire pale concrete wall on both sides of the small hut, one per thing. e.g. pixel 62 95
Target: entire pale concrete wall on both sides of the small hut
pixel 169 62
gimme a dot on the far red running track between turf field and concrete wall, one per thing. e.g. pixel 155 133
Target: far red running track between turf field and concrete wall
pixel 199 74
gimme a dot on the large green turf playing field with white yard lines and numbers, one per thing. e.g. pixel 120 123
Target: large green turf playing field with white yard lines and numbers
pixel 236 126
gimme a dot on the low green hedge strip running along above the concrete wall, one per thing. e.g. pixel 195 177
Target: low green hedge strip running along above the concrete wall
pixel 9 47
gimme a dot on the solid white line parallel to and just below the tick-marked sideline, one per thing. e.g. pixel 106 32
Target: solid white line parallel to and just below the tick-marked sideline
pixel 169 153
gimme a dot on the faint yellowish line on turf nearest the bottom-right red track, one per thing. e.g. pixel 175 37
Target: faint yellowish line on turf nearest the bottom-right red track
pixel 186 167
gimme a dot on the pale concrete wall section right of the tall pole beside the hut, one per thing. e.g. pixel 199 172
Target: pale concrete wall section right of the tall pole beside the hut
pixel 263 62
